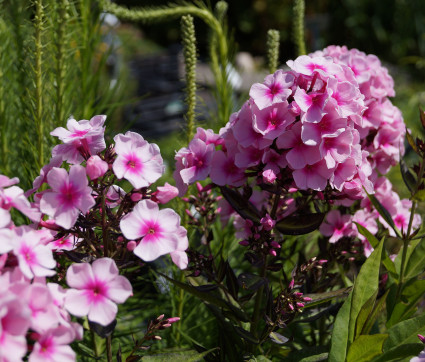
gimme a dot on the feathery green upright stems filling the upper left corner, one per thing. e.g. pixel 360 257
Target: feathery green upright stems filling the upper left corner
pixel 53 65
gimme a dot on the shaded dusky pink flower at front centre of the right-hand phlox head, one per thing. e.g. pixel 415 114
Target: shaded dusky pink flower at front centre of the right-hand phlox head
pixel 299 154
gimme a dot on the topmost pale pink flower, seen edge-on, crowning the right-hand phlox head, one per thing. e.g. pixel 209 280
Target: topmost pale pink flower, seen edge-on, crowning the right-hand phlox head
pixel 307 65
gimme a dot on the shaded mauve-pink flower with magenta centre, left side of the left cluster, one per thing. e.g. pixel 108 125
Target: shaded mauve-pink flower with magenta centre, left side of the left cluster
pixel 69 195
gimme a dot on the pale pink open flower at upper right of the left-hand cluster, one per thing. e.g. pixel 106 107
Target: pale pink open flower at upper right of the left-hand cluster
pixel 137 161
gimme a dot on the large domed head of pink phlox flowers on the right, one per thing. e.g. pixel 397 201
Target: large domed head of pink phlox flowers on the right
pixel 324 127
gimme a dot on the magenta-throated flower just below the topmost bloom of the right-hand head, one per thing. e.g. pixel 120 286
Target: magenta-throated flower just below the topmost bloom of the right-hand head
pixel 312 104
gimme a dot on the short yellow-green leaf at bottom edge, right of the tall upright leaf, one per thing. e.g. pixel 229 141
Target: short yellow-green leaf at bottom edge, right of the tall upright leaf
pixel 365 348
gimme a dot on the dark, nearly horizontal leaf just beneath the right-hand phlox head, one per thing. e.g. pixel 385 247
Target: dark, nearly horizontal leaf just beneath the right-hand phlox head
pixel 300 224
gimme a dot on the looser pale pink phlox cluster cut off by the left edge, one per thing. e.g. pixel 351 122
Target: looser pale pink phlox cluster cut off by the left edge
pixel 80 214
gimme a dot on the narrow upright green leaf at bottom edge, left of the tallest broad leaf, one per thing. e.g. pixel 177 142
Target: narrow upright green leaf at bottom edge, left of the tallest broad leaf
pixel 339 339
